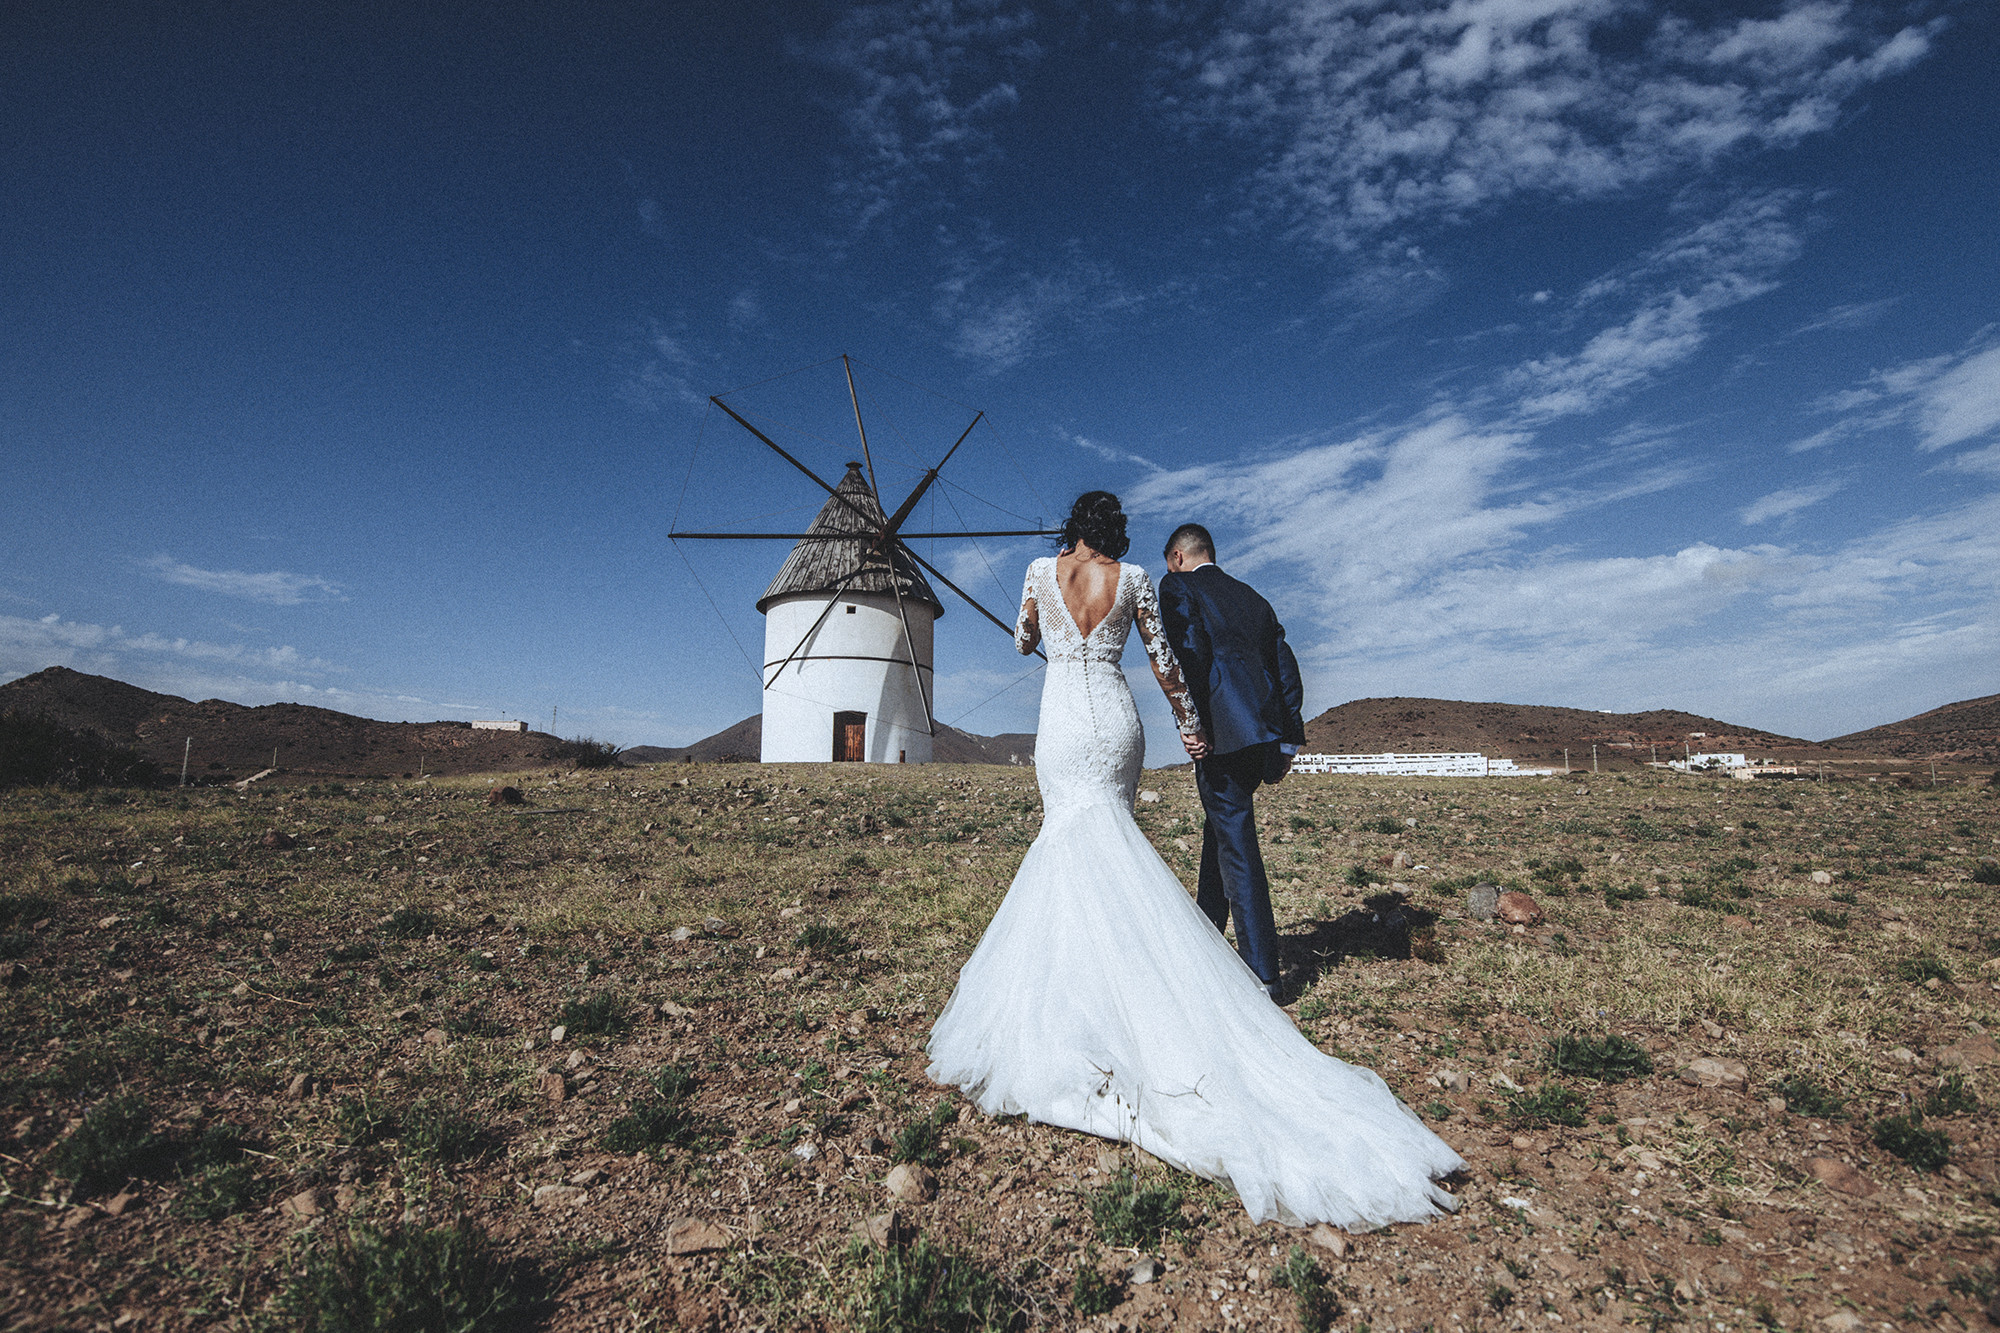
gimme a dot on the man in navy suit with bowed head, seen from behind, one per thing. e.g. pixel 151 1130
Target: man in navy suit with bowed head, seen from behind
pixel 1245 682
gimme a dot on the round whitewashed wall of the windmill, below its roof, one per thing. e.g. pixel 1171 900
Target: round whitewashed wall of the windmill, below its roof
pixel 857 661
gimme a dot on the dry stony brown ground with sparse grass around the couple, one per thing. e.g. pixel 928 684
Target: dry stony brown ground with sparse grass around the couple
pixel 1797 962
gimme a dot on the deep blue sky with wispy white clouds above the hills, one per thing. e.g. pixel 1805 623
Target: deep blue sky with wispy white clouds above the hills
pixel 1589 353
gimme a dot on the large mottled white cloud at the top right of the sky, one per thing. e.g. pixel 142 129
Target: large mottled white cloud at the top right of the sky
pixel 1375 117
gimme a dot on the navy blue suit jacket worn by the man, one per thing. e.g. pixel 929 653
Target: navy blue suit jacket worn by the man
pixel 1233 651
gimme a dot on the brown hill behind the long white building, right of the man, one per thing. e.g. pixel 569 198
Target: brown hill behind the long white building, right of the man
pixel 1533 734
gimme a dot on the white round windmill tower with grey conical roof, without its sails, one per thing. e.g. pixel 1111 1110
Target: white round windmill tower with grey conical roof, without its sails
pixel 849 643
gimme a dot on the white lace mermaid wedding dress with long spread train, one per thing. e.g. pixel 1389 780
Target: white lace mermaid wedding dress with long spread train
pixel 1103 1000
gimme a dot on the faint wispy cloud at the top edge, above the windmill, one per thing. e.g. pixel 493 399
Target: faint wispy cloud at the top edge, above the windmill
pixel 929 79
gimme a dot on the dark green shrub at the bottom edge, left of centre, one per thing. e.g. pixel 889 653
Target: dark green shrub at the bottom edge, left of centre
pixel 401 1280
